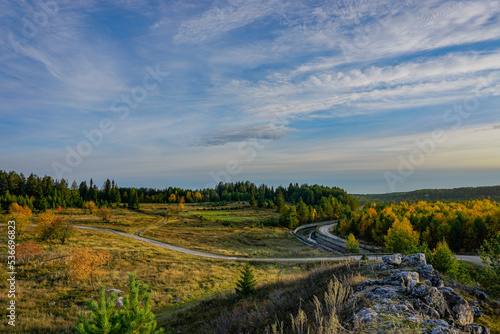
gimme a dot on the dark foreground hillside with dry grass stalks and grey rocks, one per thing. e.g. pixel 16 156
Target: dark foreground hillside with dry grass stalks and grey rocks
pixel 403 294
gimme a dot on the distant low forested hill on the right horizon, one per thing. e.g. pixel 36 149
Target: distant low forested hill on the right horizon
pixel 456 194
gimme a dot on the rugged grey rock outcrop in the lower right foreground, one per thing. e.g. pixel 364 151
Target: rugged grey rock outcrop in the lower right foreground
pixel 409 293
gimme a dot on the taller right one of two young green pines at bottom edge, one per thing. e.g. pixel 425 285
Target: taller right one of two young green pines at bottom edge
pixel 136 315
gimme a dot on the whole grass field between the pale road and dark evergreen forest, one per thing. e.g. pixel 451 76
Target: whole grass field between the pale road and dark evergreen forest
pixel 231 230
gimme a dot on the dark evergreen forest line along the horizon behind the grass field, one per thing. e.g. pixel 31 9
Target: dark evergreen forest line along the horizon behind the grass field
pixel 42 193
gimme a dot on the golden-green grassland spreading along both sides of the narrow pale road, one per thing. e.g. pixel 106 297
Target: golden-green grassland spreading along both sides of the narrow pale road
pixel 48 302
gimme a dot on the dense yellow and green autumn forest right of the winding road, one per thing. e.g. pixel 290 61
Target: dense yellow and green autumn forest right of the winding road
pixel 463 225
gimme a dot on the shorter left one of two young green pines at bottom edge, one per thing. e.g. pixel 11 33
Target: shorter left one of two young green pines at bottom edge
pixel 103 319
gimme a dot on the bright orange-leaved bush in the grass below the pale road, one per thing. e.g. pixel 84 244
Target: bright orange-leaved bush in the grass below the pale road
pixel 85 262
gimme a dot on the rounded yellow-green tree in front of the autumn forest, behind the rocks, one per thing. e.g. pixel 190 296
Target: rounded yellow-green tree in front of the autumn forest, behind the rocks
pixel 401 237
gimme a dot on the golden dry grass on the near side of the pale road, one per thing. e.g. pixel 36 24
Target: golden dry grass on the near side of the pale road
pixel 171 275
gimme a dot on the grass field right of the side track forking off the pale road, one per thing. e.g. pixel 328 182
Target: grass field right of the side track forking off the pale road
pixel 230 232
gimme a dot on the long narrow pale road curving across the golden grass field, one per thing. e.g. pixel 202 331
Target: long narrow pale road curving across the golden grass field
pixel 474 259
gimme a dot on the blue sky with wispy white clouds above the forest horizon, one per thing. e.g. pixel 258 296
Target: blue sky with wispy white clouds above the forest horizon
pixel 369 96
